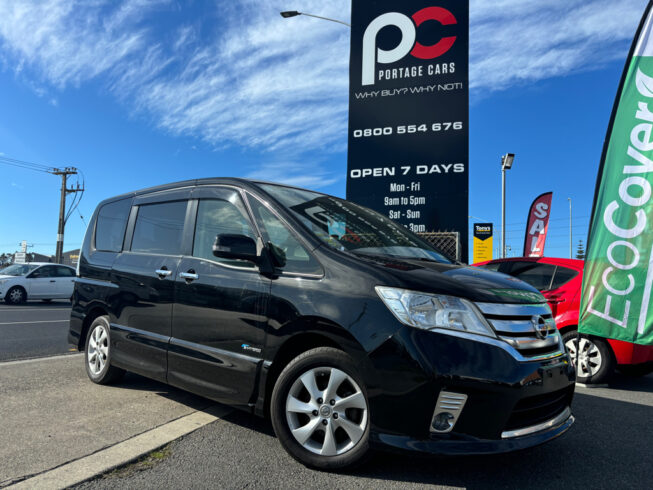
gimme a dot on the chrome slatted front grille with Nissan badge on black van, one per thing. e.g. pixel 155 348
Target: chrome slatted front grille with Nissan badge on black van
pixel 514 325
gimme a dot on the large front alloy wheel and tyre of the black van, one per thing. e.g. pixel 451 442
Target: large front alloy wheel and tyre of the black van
pixel 336 432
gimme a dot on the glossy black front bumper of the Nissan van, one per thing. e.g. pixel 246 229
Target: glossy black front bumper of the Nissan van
pixel 510 403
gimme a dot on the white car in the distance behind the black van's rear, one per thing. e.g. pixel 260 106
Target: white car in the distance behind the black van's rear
pixel 36 280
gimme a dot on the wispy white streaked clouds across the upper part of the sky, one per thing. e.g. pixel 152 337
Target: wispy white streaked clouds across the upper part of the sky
pixel 245 76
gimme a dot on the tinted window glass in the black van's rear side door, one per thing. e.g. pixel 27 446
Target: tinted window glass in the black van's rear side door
pixel 159 228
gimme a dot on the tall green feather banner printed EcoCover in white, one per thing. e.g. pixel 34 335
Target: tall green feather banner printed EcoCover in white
pixel 618 274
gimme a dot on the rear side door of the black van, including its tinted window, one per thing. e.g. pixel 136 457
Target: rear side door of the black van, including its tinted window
pixel 145 273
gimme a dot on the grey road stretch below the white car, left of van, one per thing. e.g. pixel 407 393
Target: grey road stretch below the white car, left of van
pixel 34 329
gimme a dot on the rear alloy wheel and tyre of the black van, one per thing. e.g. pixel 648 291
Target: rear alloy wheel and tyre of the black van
pixel 97 354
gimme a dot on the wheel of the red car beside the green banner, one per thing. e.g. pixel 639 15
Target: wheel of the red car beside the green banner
pixel 596 360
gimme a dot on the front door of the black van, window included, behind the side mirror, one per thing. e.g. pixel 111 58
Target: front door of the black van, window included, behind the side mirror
pixel 219 317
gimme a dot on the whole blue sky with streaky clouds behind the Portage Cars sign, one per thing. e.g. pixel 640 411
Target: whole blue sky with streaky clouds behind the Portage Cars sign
pixel 143 92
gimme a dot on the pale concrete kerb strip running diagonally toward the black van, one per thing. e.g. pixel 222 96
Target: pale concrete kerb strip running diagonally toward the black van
pixel 87 467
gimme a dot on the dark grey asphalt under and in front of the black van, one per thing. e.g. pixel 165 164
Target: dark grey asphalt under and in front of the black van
pixel 608 447
